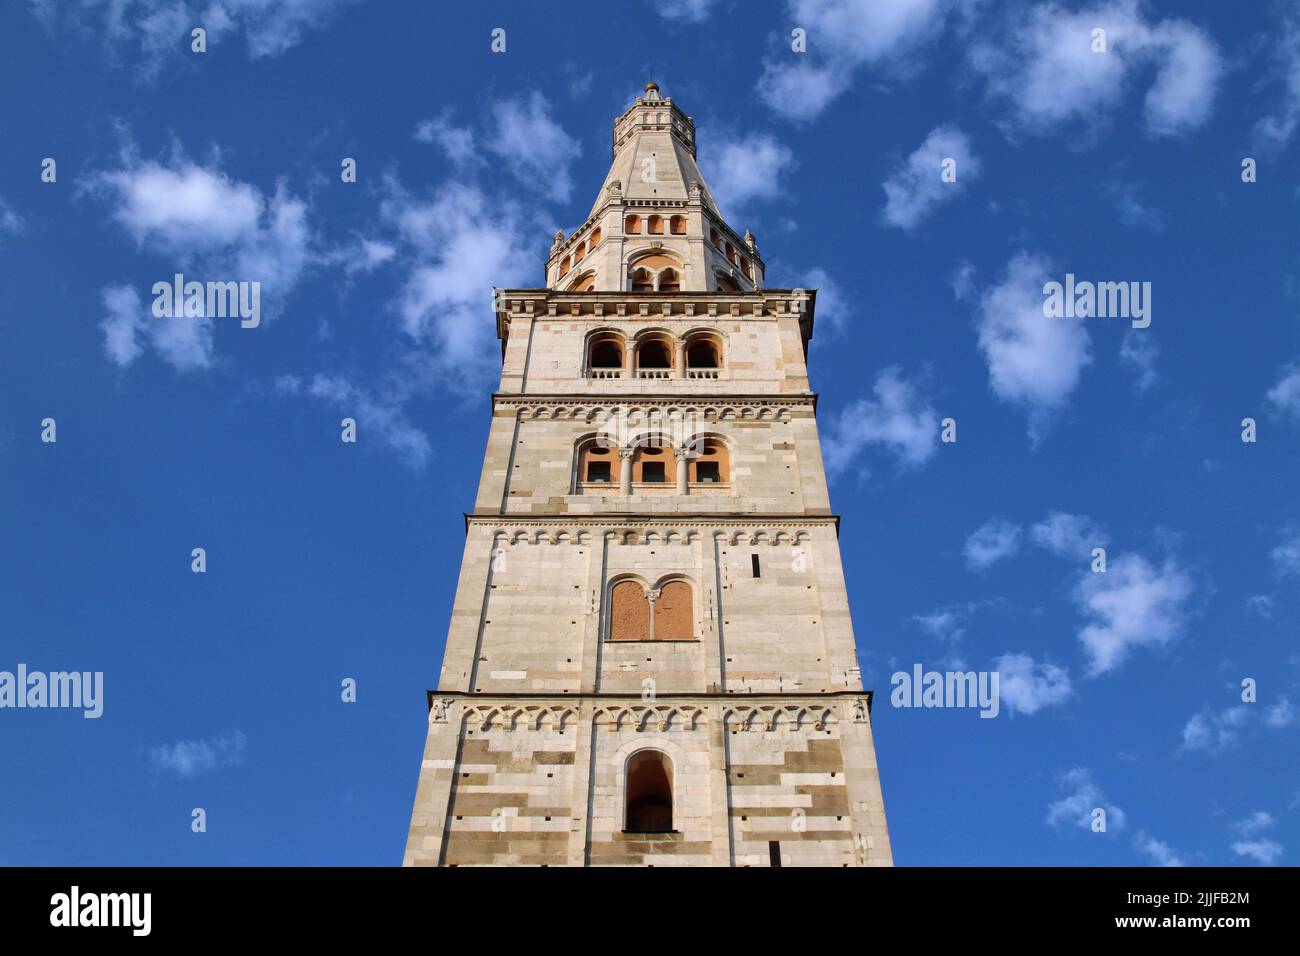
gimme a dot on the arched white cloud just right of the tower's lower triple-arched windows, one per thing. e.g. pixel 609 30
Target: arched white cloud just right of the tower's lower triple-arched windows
pixel 899 419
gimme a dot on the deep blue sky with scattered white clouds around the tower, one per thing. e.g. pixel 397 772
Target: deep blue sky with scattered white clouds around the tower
pixel 330 561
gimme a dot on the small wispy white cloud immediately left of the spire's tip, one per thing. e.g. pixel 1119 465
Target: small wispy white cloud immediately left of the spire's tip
pixel 534 146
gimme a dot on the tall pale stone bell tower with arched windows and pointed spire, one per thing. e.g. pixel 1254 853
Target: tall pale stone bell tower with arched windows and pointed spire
pixel 651 657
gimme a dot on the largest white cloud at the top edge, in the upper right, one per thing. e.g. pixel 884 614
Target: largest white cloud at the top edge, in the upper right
pixel 1045 66
